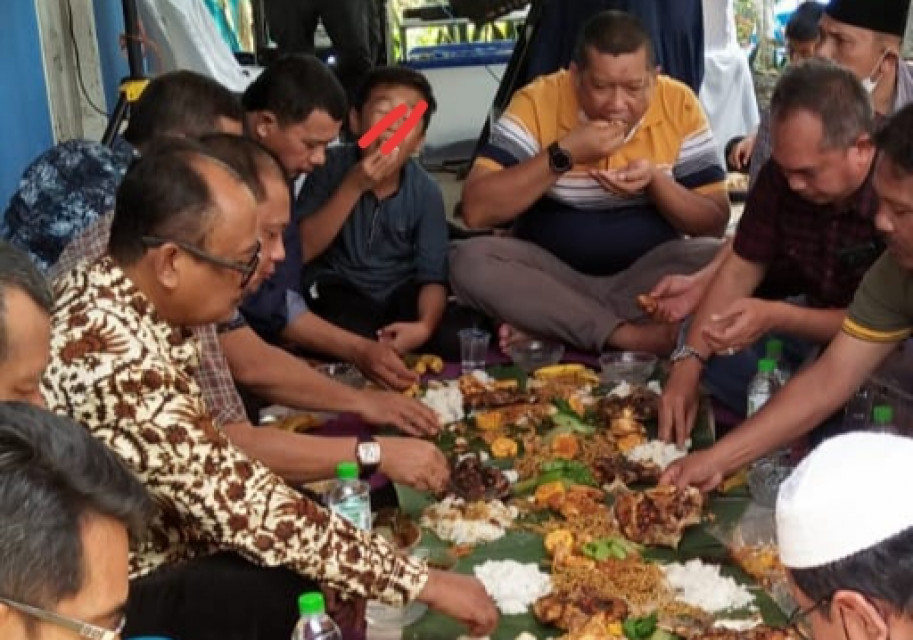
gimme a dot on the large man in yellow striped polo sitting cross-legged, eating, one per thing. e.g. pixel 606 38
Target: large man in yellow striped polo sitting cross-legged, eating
pixel 601 171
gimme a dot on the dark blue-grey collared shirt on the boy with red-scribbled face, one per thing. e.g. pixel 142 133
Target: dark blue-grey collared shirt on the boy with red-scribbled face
pixel 383 244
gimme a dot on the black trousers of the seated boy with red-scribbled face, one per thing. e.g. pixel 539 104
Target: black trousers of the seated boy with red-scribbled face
pixel 341 304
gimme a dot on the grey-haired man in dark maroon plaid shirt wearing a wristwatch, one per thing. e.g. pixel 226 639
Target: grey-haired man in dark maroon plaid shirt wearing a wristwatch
pixel 807 231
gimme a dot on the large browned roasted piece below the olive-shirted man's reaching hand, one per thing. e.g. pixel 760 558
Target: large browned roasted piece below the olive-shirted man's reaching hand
pixel 658 516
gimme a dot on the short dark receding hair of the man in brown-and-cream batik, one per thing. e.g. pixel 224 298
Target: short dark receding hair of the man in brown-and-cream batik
pixel 164 194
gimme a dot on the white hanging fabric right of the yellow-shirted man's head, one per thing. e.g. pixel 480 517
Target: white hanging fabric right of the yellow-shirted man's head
pixel 727 92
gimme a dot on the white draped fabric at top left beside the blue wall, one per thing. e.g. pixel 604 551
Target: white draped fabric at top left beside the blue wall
pixel 186 37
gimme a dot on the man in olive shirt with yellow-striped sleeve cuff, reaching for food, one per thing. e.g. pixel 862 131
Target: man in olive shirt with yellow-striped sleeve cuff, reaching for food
pixel 879 318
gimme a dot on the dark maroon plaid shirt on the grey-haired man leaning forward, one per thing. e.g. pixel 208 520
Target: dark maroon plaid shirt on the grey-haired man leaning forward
pixel 805 245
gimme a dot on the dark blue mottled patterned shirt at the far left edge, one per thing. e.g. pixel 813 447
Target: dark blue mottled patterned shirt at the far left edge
pixel 61 193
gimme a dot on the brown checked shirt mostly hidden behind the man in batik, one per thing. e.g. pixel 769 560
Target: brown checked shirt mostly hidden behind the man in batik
pixel 213 375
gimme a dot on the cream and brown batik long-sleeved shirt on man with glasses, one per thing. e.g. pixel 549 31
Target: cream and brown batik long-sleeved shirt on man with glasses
pixel 127 375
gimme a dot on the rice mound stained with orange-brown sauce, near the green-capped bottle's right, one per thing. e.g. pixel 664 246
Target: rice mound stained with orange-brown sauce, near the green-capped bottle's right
pixel 468 523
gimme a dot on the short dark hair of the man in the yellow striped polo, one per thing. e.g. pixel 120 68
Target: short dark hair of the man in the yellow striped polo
pixel 614 33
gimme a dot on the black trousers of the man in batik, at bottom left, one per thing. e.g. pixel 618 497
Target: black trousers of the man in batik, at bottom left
pixel 218 597
